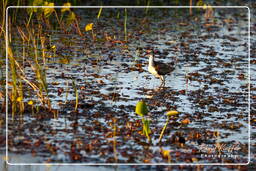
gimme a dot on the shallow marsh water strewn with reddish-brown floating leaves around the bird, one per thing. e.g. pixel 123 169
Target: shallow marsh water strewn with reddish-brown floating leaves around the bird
pixel 209 89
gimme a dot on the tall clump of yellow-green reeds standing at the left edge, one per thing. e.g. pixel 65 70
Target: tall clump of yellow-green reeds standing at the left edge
pixel 38 43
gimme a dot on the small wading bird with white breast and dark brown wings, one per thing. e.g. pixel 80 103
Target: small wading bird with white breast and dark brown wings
pixel 159 69
